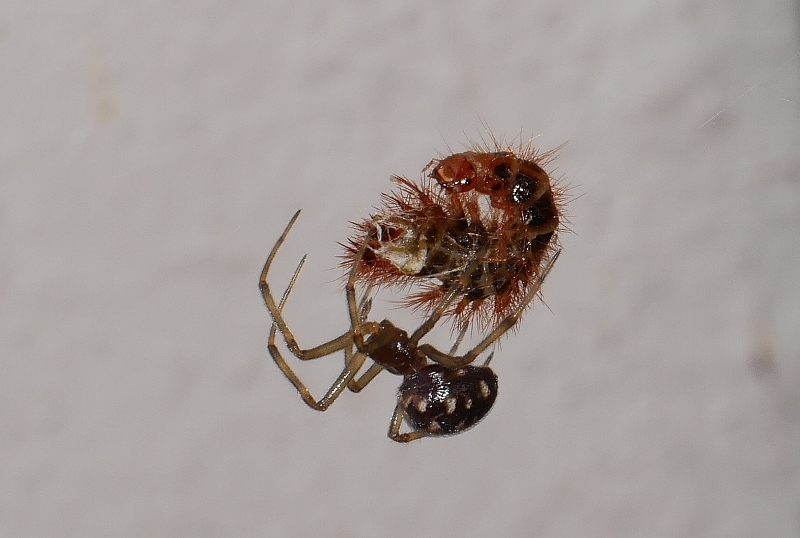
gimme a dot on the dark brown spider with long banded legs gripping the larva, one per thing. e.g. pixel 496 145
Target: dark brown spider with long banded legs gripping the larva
pixel 441 393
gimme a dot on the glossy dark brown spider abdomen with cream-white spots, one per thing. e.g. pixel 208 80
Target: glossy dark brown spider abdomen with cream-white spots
pixel 444 401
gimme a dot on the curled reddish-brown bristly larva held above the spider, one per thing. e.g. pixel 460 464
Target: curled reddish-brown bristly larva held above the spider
pixel 481 224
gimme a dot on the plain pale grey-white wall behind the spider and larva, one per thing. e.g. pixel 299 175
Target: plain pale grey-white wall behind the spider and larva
pixel 151 153
